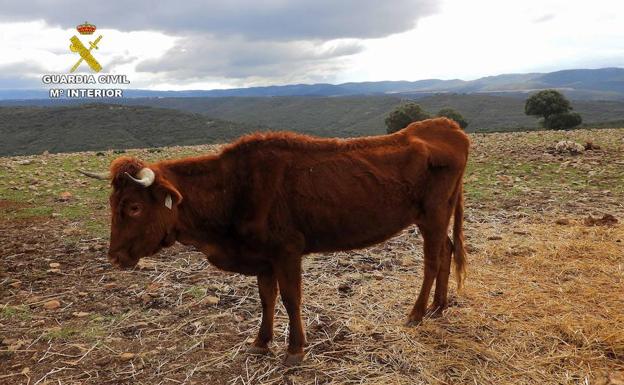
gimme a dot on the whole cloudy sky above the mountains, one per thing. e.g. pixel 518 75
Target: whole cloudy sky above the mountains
pixel 238 43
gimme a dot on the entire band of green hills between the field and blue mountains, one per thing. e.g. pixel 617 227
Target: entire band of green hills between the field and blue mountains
pixel 150 122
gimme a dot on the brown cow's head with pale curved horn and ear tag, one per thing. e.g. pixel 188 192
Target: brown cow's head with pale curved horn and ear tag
pixel 144 211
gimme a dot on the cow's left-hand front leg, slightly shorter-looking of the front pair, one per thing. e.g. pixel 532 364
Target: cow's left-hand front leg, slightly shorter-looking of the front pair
pixel 267 287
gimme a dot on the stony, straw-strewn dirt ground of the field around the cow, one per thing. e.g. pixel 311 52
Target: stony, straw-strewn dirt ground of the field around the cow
pixel 543 304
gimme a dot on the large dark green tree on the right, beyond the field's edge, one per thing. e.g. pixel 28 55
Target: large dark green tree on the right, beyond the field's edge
pixel 554 108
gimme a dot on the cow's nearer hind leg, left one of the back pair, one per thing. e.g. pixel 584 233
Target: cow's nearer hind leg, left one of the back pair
pixel 434 236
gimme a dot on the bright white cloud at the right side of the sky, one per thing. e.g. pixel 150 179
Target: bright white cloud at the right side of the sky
pixel 487 37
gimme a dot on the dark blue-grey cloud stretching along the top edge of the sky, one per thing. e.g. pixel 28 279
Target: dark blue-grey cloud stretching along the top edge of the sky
pixel 251 19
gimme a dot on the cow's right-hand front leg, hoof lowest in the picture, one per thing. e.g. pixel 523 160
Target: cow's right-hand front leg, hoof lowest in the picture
pixel 288 273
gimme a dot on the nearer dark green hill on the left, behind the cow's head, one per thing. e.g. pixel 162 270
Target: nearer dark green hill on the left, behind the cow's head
pixel 33 130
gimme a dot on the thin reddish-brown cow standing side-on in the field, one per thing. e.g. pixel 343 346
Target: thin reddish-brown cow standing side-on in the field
pixel 263 202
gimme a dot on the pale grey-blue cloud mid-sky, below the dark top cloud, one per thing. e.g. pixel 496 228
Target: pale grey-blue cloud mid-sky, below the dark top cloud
pixel 198 57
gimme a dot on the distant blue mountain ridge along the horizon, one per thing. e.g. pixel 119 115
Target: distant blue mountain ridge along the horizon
pixel 581 84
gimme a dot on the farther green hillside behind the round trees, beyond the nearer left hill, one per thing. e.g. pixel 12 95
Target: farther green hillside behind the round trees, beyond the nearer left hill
pixel 364 115
